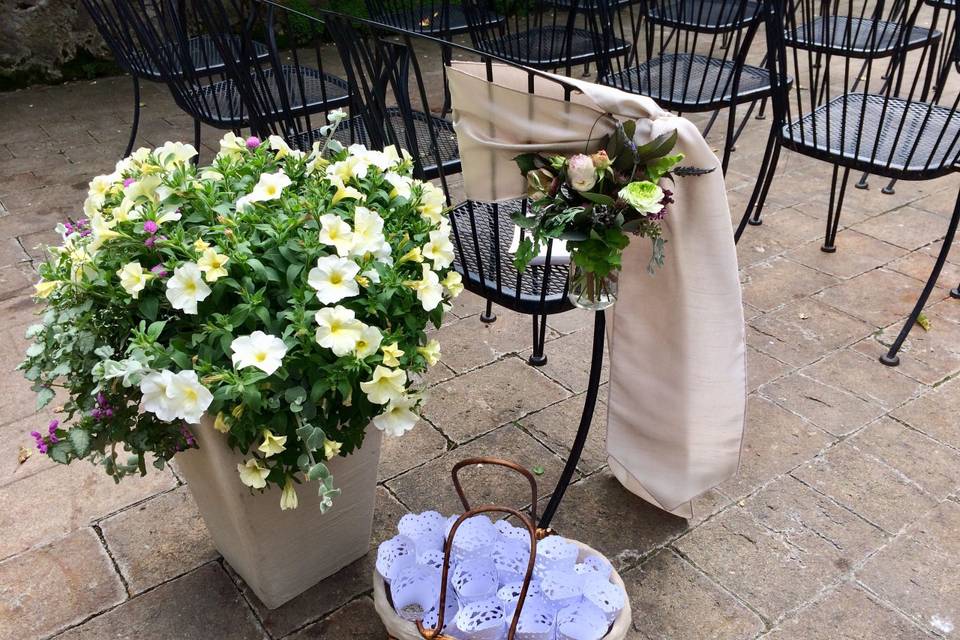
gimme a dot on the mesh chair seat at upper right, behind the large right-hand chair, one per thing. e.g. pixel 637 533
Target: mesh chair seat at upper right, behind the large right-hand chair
pixel 857 37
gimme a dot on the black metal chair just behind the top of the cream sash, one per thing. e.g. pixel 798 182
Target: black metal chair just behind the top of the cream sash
pixel 688 55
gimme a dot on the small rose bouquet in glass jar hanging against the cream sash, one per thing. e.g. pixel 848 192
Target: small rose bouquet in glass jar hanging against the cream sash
pixel 594 203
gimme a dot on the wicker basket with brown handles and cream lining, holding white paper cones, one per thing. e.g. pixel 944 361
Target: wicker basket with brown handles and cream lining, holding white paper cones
pixel 400 629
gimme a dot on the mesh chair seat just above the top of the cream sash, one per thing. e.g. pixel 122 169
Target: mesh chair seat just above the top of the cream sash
pixel 691 82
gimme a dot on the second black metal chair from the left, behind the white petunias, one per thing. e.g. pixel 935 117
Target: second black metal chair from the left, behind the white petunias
pixel 281 86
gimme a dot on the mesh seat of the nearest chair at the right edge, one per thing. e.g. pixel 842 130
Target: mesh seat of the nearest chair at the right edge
pixel 928 145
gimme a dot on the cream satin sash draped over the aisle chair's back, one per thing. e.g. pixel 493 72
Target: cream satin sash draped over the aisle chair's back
pixel 677 347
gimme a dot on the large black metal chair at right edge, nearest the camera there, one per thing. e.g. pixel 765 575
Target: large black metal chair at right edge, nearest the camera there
pixel 882 123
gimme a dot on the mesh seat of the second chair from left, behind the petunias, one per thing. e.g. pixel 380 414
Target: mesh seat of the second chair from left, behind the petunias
pixel 319 92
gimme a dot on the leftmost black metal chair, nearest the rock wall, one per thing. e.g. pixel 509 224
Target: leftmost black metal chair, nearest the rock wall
pixel 110 18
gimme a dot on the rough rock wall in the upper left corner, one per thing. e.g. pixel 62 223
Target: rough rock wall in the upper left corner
pixel 39 37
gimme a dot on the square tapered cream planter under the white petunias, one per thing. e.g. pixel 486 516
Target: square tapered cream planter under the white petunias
pixel 281 554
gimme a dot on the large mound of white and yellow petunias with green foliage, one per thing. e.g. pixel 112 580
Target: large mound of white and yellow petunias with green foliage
pixel 285 294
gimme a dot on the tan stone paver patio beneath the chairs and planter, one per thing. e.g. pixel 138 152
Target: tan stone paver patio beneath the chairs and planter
pixel 843 522
